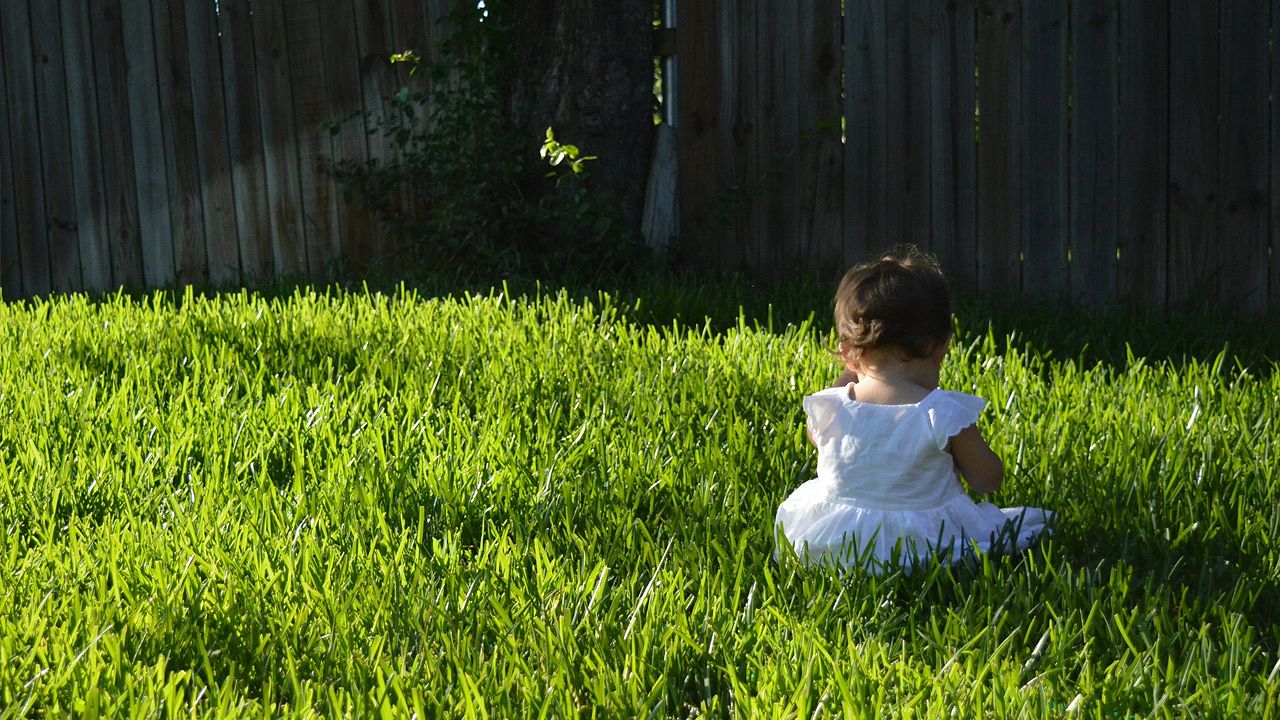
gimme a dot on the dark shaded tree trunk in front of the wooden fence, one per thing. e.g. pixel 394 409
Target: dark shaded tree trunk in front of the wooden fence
pixel 586 69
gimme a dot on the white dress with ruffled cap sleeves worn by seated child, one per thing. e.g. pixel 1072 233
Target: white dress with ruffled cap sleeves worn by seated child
pixel 888 491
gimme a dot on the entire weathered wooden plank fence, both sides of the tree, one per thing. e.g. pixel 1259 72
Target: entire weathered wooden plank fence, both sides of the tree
pixel 1090 151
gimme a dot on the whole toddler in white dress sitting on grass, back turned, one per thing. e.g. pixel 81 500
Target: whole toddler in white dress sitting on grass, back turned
pixel 892 445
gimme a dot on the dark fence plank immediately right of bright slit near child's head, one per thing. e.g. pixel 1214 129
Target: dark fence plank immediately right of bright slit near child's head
pixel 999 167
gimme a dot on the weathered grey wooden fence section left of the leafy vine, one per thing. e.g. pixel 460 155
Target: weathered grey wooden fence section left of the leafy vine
pixel 147 143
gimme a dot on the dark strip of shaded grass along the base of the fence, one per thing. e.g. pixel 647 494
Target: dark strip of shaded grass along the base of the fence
pixel 1105 335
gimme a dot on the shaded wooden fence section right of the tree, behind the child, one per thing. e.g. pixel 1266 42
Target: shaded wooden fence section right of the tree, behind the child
pixel 1094 151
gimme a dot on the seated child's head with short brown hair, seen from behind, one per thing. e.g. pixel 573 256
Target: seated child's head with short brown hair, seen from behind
pixel 899 302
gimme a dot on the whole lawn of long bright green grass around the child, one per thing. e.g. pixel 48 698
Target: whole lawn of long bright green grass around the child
pixel 353 504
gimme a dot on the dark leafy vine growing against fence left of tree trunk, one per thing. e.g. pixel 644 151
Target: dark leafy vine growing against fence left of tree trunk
pixel 455 184
